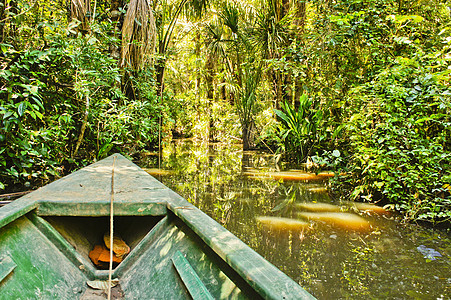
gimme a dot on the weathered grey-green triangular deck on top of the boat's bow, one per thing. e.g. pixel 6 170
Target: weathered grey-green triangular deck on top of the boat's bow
pixel 92 184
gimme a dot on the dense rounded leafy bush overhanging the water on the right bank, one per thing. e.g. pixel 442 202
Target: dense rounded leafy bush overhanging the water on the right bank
pixel 400 137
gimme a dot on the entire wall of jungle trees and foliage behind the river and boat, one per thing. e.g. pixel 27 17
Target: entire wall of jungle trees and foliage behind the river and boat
pixel 359 86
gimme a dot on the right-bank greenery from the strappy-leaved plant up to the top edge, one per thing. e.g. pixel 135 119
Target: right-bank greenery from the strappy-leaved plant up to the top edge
pixel 385 123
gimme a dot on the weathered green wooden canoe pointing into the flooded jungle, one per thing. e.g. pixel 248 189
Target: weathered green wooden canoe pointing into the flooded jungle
pixel 177 251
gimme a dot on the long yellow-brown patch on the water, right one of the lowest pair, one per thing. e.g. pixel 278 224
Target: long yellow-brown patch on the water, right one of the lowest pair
pixel 339 219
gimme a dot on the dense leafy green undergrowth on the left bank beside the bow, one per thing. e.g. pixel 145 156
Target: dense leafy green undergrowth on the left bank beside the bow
pixel 63 105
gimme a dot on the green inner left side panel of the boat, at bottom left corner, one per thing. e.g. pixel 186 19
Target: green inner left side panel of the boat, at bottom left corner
pixel 42 271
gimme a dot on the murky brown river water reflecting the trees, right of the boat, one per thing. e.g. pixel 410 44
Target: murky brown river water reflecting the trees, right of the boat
pixel 387 260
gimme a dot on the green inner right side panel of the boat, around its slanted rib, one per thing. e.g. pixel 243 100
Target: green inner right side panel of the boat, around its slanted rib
pixel 154 277
